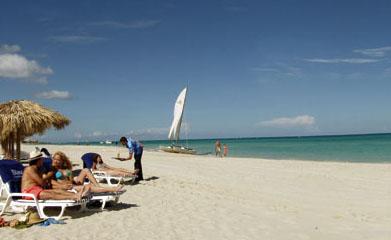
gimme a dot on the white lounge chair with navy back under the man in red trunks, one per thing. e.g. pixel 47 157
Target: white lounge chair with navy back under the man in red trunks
pixel 11 172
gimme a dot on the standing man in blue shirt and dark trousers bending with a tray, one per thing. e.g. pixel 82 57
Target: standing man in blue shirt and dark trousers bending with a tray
pixel 137 149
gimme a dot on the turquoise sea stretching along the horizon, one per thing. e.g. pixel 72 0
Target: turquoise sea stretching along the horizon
pixel 373 148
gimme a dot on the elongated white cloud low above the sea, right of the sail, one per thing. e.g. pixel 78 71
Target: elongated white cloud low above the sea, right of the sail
pixel 292 122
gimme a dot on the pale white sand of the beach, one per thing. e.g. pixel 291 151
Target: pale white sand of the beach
pixel 200 197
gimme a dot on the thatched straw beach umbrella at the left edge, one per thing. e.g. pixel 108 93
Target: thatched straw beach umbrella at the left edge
pixel 21 118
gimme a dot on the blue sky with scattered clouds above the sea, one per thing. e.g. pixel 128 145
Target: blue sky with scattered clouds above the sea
pixel 253 68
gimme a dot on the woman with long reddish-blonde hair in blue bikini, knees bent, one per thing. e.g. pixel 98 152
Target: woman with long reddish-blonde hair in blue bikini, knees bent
pixel 62 177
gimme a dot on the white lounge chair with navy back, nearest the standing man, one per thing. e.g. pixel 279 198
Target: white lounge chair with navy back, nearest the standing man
pixel 102 175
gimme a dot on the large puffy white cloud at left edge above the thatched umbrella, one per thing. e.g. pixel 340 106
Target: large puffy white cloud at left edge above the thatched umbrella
pixel 17 66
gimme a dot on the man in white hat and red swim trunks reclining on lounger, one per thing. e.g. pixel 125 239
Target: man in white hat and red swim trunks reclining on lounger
pixel 34 182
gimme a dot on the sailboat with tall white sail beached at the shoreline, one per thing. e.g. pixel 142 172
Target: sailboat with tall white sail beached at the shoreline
pixel 173 135
